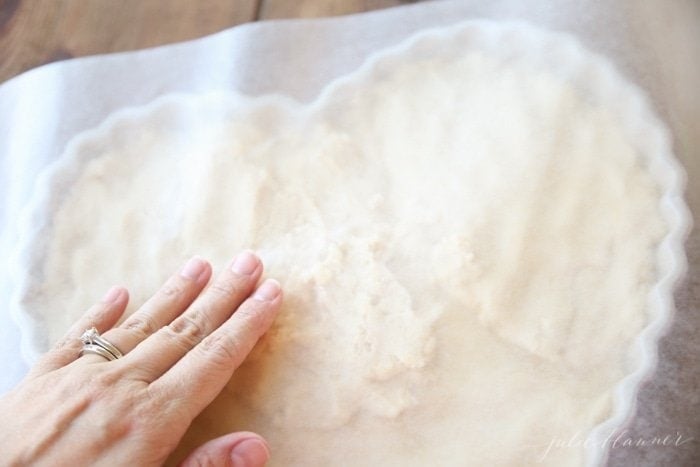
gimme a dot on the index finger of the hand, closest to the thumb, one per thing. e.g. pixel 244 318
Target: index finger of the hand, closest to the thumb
pixel 201 374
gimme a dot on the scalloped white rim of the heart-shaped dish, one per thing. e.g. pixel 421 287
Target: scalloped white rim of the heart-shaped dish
pixel 564 52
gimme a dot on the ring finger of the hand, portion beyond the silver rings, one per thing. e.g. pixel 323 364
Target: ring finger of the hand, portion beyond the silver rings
pixel 168 303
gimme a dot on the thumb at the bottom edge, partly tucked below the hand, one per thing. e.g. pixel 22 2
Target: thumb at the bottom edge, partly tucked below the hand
pixel 240 449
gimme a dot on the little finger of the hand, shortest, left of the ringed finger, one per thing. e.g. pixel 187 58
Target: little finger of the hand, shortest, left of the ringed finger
pixel 102 315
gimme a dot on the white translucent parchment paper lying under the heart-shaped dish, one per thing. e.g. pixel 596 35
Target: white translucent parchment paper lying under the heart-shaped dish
pixel 655 43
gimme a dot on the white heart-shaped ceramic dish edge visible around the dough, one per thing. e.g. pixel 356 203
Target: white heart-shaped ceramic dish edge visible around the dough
pixel 592 75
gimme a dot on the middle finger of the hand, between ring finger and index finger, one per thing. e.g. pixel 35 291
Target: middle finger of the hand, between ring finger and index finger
pixel 165 347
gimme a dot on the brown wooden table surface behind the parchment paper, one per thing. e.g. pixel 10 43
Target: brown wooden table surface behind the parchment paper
pixel 35 32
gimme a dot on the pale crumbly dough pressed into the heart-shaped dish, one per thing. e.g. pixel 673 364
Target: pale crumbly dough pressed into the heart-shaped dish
pixel 466 248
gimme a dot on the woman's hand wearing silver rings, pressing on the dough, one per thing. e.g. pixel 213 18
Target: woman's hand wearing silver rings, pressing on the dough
pixel 180 349
